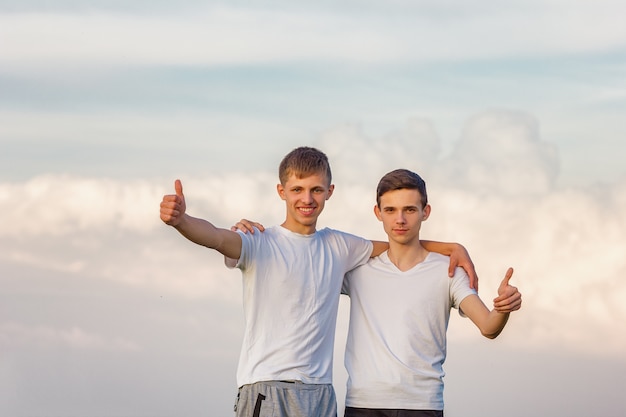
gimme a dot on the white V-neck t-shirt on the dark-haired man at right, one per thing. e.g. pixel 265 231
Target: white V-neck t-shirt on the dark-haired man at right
pixel 397 336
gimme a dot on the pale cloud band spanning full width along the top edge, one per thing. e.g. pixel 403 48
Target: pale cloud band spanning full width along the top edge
pixel 226 35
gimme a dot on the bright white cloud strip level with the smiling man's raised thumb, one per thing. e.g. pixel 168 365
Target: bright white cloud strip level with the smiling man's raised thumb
pixel 60 205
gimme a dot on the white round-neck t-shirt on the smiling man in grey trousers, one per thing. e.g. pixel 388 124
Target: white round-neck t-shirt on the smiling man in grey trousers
pixel 291 288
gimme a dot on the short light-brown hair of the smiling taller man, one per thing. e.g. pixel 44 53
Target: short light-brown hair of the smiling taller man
pixel 302 162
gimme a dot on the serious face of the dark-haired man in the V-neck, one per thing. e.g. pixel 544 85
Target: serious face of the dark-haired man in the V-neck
pixel 402 214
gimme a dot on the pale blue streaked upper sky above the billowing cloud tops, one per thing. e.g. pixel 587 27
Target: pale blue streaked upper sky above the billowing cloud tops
pixel 296 69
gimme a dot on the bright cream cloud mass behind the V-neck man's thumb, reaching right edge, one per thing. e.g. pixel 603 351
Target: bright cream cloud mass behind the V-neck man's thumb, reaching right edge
pixel 567 249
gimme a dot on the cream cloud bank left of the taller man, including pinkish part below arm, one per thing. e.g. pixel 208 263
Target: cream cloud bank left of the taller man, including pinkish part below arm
pixel 111 231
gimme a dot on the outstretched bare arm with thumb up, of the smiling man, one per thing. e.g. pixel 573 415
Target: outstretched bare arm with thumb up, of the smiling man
pixel 199 231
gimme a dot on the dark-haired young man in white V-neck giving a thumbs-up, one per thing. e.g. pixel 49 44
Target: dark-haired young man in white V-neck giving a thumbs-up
pixel 400 304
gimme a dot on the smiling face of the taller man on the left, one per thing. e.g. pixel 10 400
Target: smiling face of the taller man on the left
pixel 305 198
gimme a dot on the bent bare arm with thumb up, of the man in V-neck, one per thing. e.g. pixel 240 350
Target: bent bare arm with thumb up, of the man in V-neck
pixel 492 322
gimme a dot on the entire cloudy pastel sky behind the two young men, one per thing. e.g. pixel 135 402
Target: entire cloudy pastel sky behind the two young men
pixel 514 114
